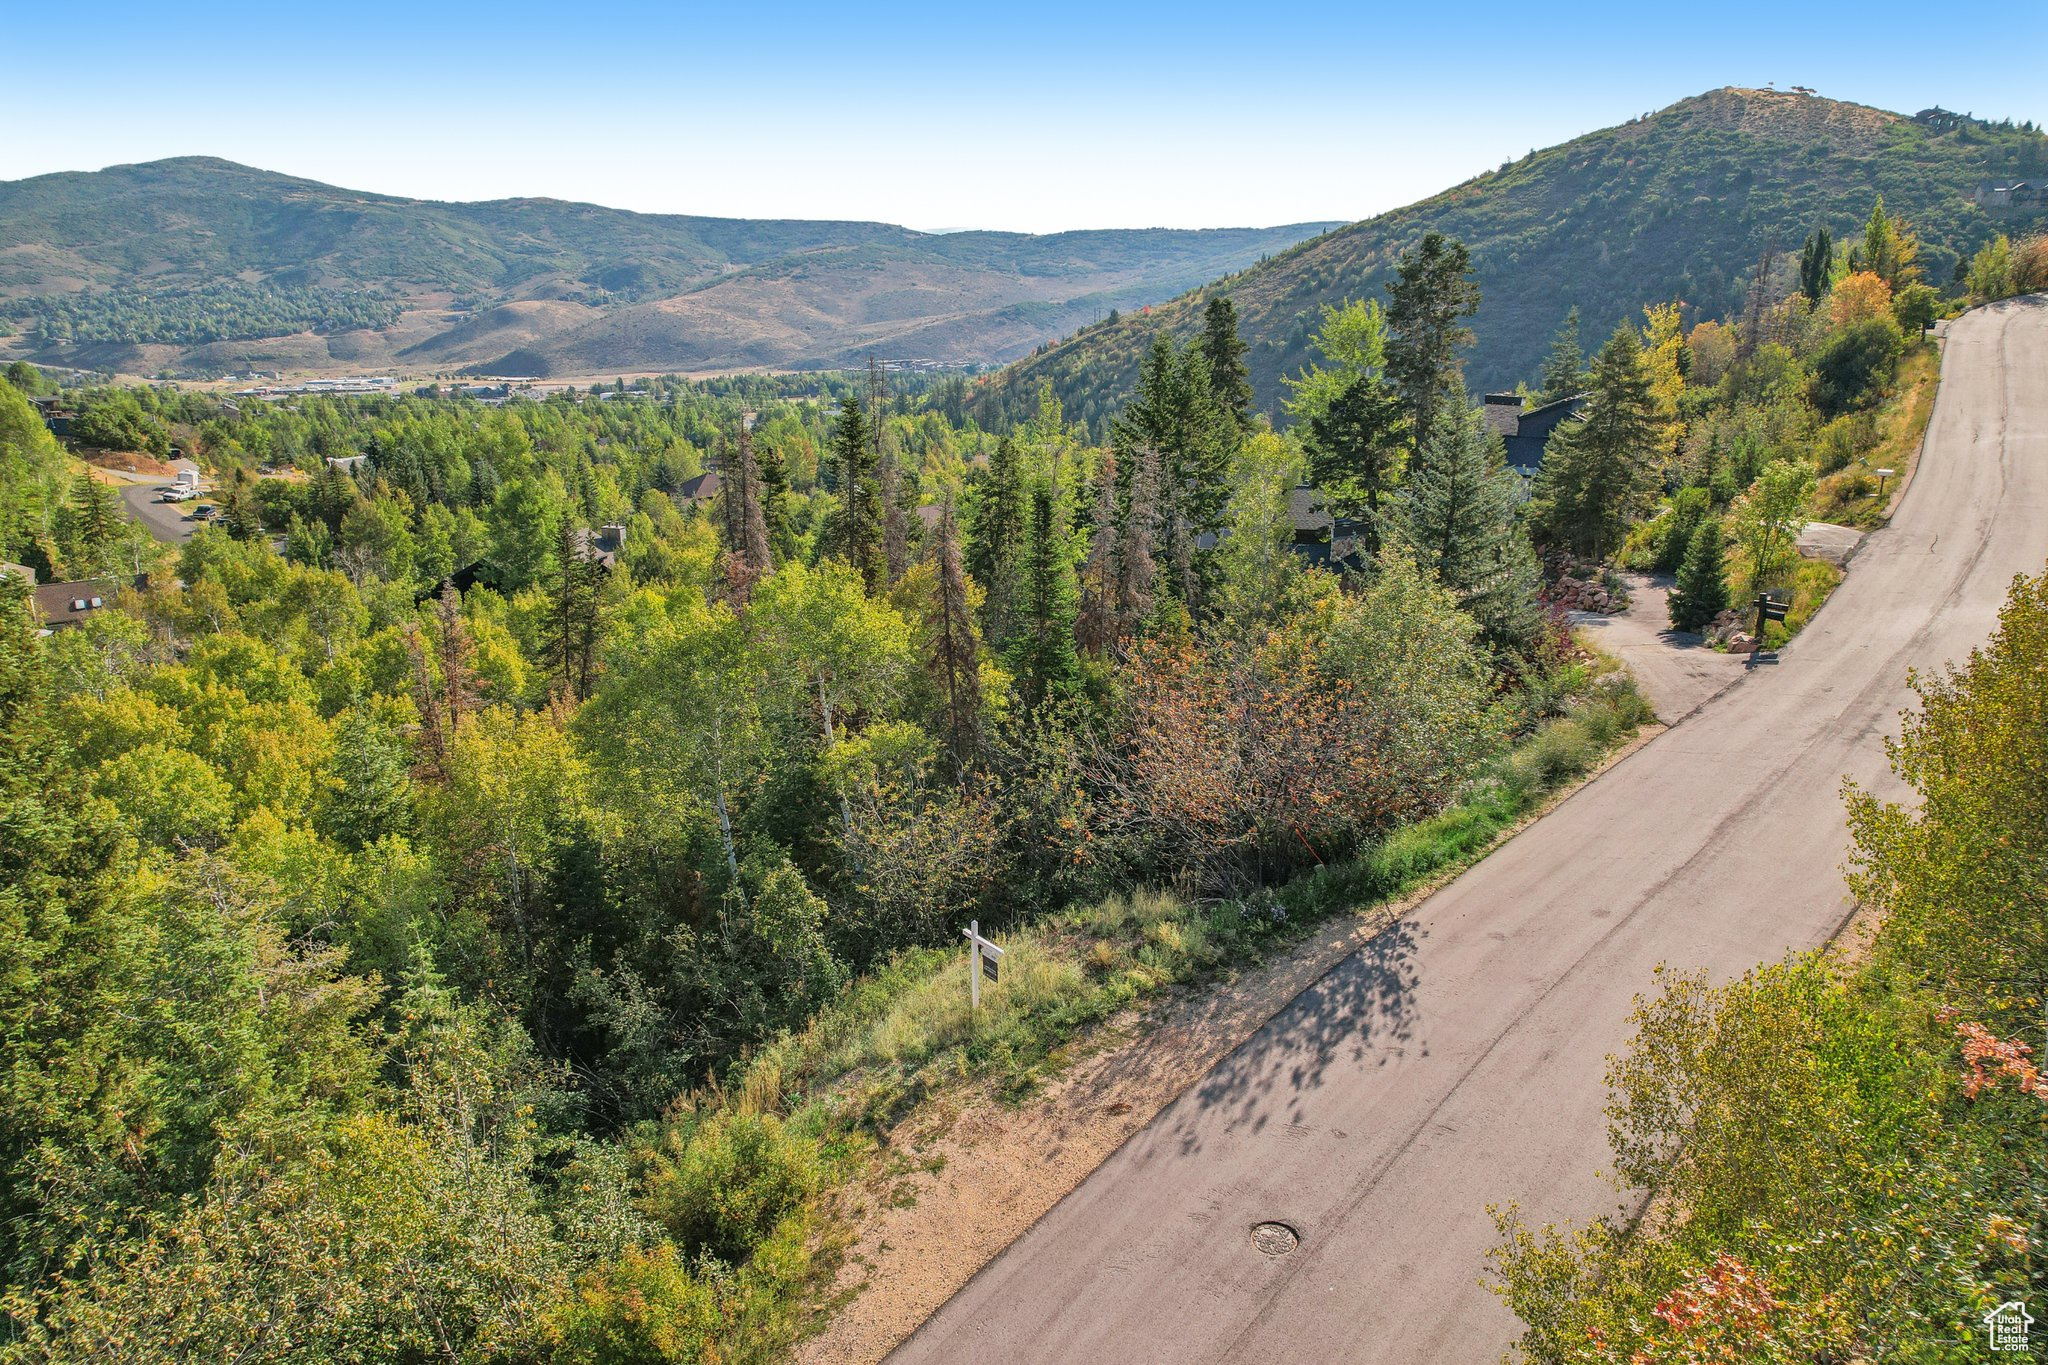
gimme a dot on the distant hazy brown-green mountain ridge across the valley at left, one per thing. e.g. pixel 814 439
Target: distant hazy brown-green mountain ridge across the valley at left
pixel 200 265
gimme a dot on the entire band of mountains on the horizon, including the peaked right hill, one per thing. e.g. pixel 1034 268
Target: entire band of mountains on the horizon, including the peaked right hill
pixel 204 267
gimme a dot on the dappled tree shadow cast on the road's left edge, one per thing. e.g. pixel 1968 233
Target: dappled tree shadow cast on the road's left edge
pixel 1361 1008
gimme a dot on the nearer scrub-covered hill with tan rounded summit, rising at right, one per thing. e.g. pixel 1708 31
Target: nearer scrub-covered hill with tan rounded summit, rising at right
pixel 1680 206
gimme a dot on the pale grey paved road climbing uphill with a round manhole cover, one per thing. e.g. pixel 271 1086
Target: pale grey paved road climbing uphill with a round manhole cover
pixel 1459 1059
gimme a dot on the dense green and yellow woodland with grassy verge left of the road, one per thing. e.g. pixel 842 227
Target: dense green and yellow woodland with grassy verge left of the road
pixel 482 899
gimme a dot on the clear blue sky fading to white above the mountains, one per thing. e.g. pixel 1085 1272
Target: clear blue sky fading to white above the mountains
pixel 1039 118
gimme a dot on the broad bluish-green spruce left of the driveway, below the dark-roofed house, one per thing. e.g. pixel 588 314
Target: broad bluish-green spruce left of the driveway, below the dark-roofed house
pixel 1459 517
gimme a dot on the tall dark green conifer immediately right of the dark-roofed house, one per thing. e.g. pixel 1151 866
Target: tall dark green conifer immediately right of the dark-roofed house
pixel 1598 470
